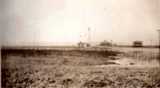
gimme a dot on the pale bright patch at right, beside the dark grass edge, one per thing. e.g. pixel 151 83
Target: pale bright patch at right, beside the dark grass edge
pixel 141 57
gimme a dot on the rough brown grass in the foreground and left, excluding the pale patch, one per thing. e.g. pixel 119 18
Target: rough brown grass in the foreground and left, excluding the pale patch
pixel 73 70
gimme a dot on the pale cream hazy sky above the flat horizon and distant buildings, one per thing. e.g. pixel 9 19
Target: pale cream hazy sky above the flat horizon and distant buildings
pixel 52 22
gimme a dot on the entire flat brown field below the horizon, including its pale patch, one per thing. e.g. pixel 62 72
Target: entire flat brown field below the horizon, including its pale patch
pixel 115 68
